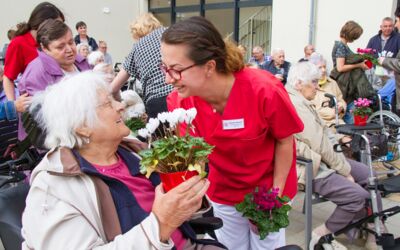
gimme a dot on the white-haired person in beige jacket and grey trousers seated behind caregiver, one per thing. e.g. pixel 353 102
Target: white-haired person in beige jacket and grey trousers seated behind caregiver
pixel 340 180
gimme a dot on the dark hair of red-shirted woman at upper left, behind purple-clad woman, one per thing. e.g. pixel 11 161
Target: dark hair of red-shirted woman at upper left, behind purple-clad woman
pixel 40 13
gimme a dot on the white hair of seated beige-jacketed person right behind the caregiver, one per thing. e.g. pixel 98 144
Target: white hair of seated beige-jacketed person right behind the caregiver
pixel 302 72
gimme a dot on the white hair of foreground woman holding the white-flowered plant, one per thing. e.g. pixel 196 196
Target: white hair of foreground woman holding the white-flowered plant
pixel 68 105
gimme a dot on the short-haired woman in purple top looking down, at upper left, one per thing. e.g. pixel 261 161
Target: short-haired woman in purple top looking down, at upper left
pixel 57 58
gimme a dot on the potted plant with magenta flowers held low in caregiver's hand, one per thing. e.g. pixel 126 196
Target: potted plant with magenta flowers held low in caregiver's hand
pixel 266 211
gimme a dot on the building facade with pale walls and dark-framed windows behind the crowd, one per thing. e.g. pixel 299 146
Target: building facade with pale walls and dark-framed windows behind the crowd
pixel 286 24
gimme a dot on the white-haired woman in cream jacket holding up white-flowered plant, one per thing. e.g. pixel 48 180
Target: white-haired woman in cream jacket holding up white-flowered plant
pixel 88 193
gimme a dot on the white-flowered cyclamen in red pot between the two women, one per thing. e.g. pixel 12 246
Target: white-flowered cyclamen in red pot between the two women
pixel 176 157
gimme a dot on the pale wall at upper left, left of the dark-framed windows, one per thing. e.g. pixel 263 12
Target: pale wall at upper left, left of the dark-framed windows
pixel 112 27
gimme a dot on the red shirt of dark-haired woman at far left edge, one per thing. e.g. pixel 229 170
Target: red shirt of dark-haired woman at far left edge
pixel 21 51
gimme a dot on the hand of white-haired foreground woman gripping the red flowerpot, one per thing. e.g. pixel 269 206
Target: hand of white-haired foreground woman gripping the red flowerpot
pixel 178 205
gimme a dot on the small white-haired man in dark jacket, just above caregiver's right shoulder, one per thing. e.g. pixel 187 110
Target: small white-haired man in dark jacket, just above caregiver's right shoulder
pixel 278 66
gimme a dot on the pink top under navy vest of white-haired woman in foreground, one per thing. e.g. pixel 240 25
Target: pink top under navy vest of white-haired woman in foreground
pixel 141 188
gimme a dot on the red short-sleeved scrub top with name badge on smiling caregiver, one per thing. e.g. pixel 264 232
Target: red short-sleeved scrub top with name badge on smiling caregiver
pixel 258 112
